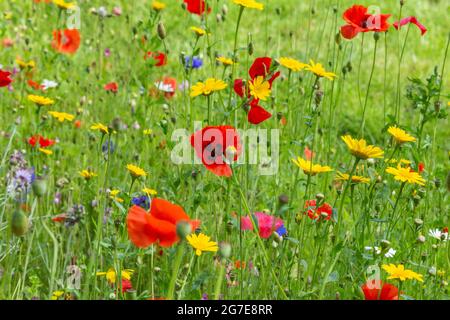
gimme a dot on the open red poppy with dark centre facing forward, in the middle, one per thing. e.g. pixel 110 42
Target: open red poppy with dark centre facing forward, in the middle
pixel 211 145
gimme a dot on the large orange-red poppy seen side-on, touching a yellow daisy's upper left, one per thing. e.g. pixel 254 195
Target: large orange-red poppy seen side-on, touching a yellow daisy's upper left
pixel 158 225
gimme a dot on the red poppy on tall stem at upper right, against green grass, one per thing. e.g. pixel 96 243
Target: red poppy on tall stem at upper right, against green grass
pixel 360 20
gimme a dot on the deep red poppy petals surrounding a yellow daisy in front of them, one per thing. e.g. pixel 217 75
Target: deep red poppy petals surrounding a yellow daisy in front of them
pixel 261 67
